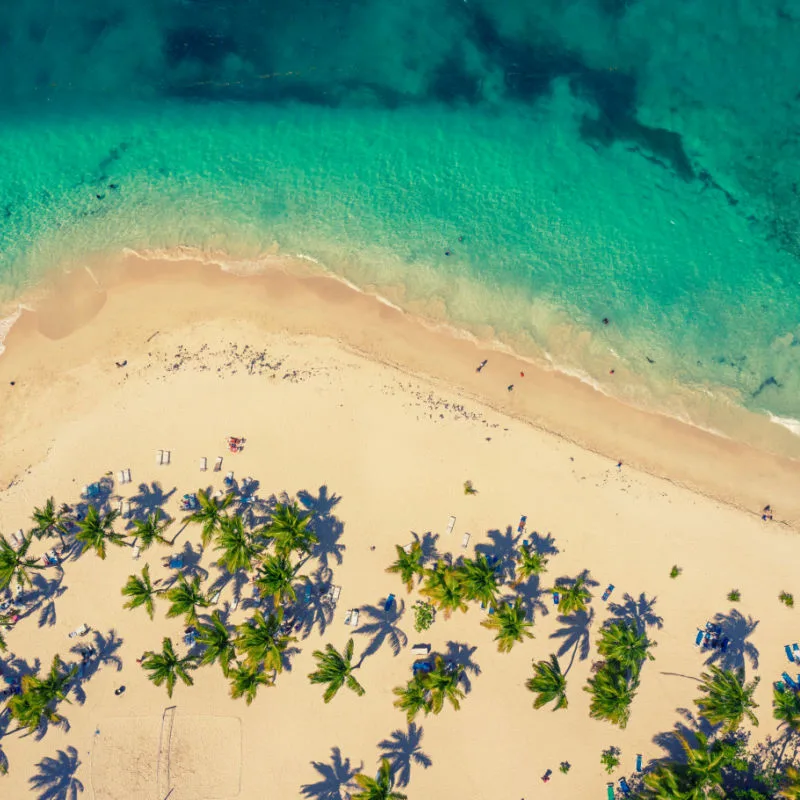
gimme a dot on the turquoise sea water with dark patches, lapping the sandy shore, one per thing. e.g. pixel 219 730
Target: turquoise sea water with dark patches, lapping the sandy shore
pixel 531 167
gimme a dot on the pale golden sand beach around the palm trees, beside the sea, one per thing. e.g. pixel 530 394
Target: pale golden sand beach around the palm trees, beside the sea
pixel 374 422
